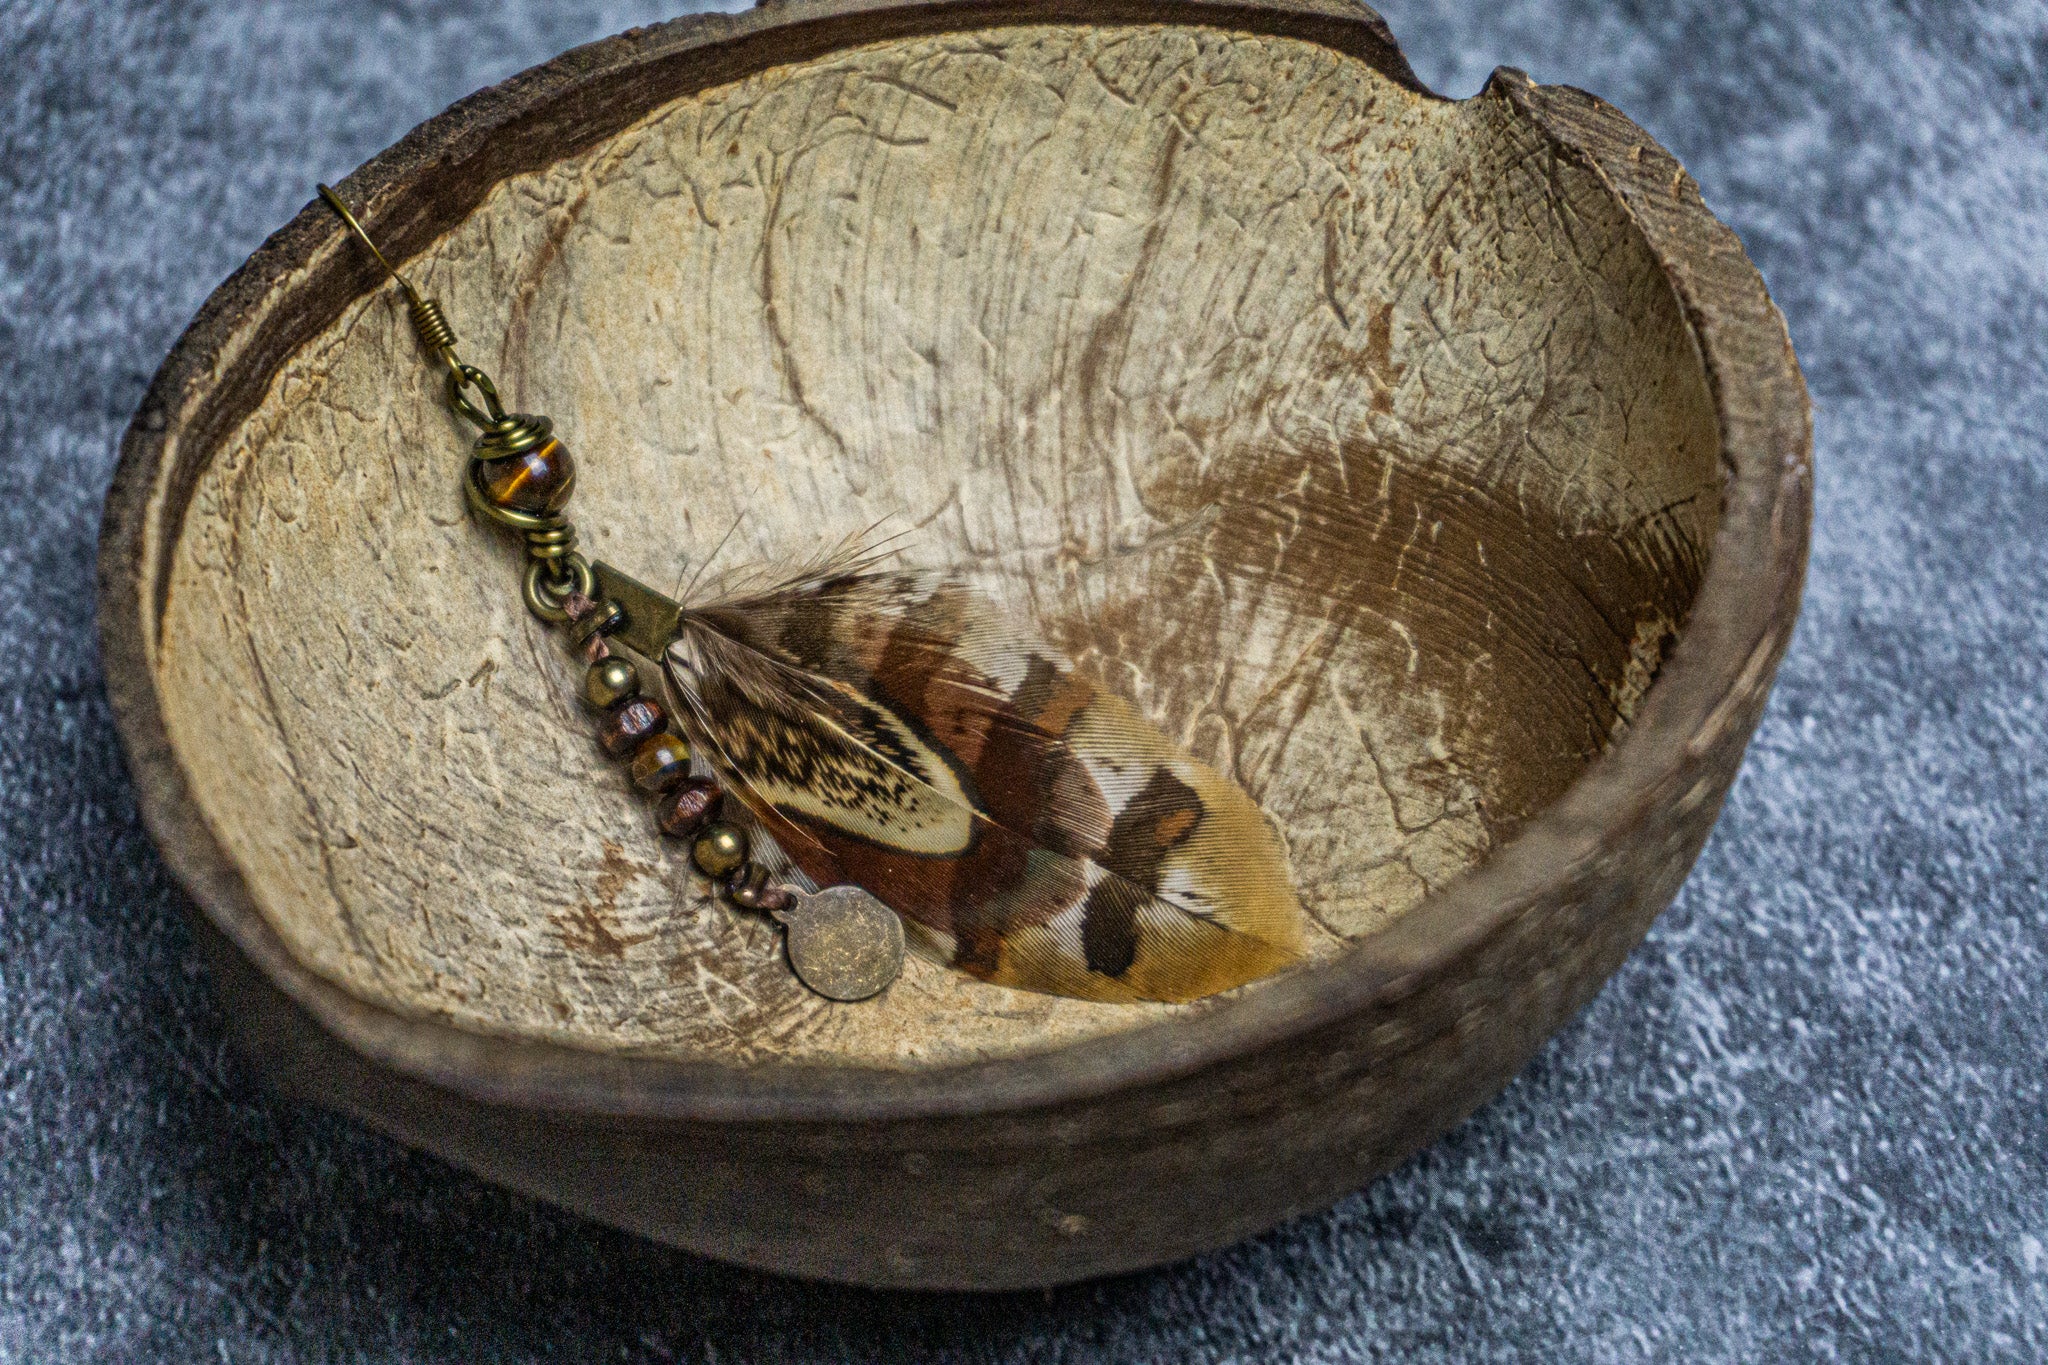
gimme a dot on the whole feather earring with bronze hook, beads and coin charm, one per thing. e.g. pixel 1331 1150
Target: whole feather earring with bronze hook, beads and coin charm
pixel 861 752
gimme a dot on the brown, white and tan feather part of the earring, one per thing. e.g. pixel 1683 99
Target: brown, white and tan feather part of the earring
pixel 894 732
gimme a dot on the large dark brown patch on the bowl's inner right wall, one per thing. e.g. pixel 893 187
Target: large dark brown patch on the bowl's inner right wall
pixel 1424 580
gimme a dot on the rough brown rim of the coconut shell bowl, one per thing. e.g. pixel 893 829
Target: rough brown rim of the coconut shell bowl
pixel 1709 687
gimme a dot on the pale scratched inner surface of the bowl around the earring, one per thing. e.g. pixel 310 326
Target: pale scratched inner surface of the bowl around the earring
pixel 1351 433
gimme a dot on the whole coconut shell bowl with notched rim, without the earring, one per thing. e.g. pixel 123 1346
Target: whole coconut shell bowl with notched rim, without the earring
pixel 1383 447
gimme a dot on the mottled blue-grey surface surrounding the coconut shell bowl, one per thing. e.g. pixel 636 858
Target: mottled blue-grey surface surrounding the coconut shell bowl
pixel 1807 1118
